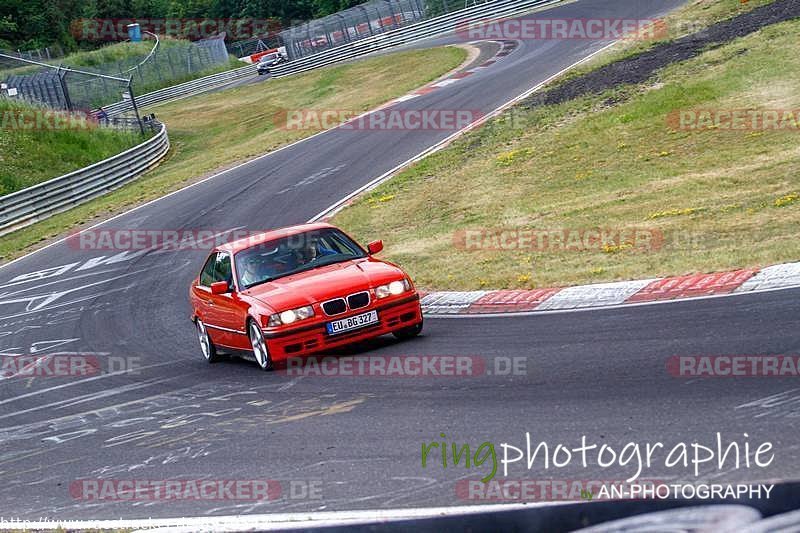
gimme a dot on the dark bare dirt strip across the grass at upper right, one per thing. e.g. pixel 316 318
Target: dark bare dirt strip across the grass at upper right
pixel 639 68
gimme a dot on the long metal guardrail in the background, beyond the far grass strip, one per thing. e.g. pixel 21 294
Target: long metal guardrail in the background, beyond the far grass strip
pixel 404 35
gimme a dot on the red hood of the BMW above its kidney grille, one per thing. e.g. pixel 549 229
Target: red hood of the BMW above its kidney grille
pixel 324 283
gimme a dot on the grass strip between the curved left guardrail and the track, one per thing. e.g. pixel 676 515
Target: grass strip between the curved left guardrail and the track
pixel 213 131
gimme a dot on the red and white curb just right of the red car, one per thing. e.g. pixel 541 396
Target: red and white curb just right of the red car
pixel 612 294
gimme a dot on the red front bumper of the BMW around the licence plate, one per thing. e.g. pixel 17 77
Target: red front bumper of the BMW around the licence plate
pixel 394 315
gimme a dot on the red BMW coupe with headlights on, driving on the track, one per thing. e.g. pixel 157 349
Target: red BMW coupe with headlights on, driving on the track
pixel 296 291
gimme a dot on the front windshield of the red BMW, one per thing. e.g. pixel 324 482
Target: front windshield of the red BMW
pixel 292 254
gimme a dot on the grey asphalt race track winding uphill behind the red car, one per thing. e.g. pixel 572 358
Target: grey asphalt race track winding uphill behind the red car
pixel 357 439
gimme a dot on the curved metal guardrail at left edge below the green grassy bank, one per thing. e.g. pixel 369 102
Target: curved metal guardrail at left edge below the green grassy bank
pixel 36 203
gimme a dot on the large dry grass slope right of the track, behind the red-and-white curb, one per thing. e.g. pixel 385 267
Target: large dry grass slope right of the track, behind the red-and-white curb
pixel 719 199
